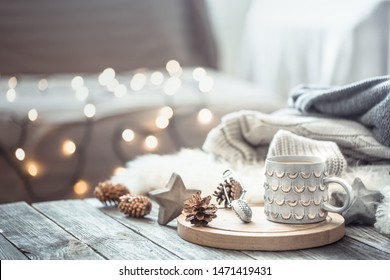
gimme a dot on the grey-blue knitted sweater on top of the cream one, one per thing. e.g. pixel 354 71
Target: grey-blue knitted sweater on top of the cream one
pixel 366 101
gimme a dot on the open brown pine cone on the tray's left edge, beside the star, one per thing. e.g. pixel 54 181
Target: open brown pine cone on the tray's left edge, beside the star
pixel 199 210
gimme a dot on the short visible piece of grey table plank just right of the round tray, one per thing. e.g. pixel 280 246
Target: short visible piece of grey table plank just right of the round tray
pixel 369 236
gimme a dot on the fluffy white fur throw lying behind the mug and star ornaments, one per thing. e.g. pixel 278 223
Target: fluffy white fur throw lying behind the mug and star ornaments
pixel 201 170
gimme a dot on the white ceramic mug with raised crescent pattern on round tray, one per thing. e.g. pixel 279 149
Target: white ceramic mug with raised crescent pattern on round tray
pixel 296 190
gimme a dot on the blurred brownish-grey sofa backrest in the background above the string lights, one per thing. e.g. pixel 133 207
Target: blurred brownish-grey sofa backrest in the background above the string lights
pixel 46 36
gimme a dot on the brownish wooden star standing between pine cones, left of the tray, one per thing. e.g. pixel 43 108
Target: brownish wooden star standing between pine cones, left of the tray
pixel 171 199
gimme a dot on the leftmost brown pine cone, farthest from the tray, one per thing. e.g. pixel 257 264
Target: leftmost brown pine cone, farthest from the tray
pixel 109 193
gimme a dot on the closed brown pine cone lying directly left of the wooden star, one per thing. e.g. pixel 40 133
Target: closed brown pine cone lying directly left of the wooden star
pixel 136 206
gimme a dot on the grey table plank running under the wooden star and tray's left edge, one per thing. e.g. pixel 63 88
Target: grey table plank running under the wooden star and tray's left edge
pixel 166 236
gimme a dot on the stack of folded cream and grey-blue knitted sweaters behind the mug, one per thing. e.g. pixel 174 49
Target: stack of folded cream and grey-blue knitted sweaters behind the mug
pixel 355 117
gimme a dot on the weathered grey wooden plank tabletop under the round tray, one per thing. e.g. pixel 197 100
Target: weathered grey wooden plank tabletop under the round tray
pixel 85 229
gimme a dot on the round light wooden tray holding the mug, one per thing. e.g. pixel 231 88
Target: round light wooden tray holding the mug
pixel 227 231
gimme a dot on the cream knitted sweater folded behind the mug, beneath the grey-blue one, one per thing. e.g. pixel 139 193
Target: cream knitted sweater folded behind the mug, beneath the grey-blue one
pixel 249 136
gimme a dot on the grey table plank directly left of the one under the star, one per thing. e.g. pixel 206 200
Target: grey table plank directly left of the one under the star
pixel 99 231
